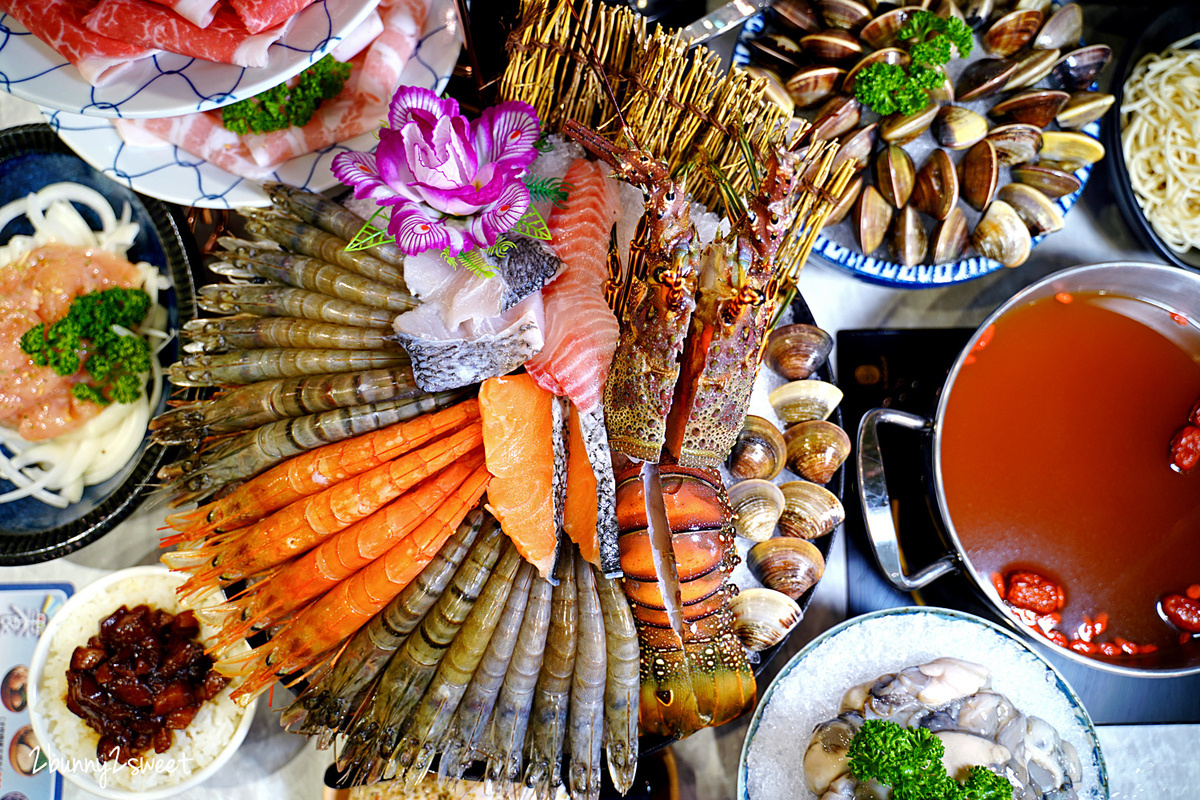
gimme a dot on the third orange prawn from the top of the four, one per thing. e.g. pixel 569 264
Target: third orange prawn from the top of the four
pixel 314 574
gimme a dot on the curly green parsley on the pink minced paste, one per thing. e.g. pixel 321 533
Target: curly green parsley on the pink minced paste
pixel 86 338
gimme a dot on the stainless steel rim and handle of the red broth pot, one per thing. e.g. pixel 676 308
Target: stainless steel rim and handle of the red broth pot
pixel 1169 288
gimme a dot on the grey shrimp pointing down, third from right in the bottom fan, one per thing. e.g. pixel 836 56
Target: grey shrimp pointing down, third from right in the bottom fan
pixel 548 723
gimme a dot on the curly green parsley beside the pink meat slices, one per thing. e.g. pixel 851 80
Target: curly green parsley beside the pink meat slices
pixel 283 106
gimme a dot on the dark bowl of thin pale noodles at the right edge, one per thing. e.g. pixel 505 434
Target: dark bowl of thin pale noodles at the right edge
pixel 1153 135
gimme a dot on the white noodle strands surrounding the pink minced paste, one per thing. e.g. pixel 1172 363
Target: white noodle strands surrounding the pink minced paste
pixel 57 471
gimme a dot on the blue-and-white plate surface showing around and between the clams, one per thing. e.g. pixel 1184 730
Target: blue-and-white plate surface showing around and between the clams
pixel 838 244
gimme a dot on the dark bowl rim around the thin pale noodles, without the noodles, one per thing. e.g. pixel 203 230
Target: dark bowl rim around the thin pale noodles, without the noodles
pixel 1178 22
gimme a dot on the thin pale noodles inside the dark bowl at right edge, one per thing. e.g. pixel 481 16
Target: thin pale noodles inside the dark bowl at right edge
pixel 1161 141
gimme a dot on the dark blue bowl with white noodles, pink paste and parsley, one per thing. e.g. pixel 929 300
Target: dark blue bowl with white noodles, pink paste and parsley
pixel 77 254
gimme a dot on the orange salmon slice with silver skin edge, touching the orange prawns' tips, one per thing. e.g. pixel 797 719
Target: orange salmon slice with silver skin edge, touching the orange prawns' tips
pixel 519 443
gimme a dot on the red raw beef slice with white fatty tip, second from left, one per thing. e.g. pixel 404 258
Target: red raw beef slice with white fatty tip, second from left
pixel 145 23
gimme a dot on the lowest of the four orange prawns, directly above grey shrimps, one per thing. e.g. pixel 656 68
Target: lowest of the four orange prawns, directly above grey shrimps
pixel 323 625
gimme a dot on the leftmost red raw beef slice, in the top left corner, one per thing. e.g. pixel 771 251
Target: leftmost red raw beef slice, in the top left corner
pixel 61 25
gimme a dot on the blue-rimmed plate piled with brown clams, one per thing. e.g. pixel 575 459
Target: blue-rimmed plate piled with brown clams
pixel 975 179
